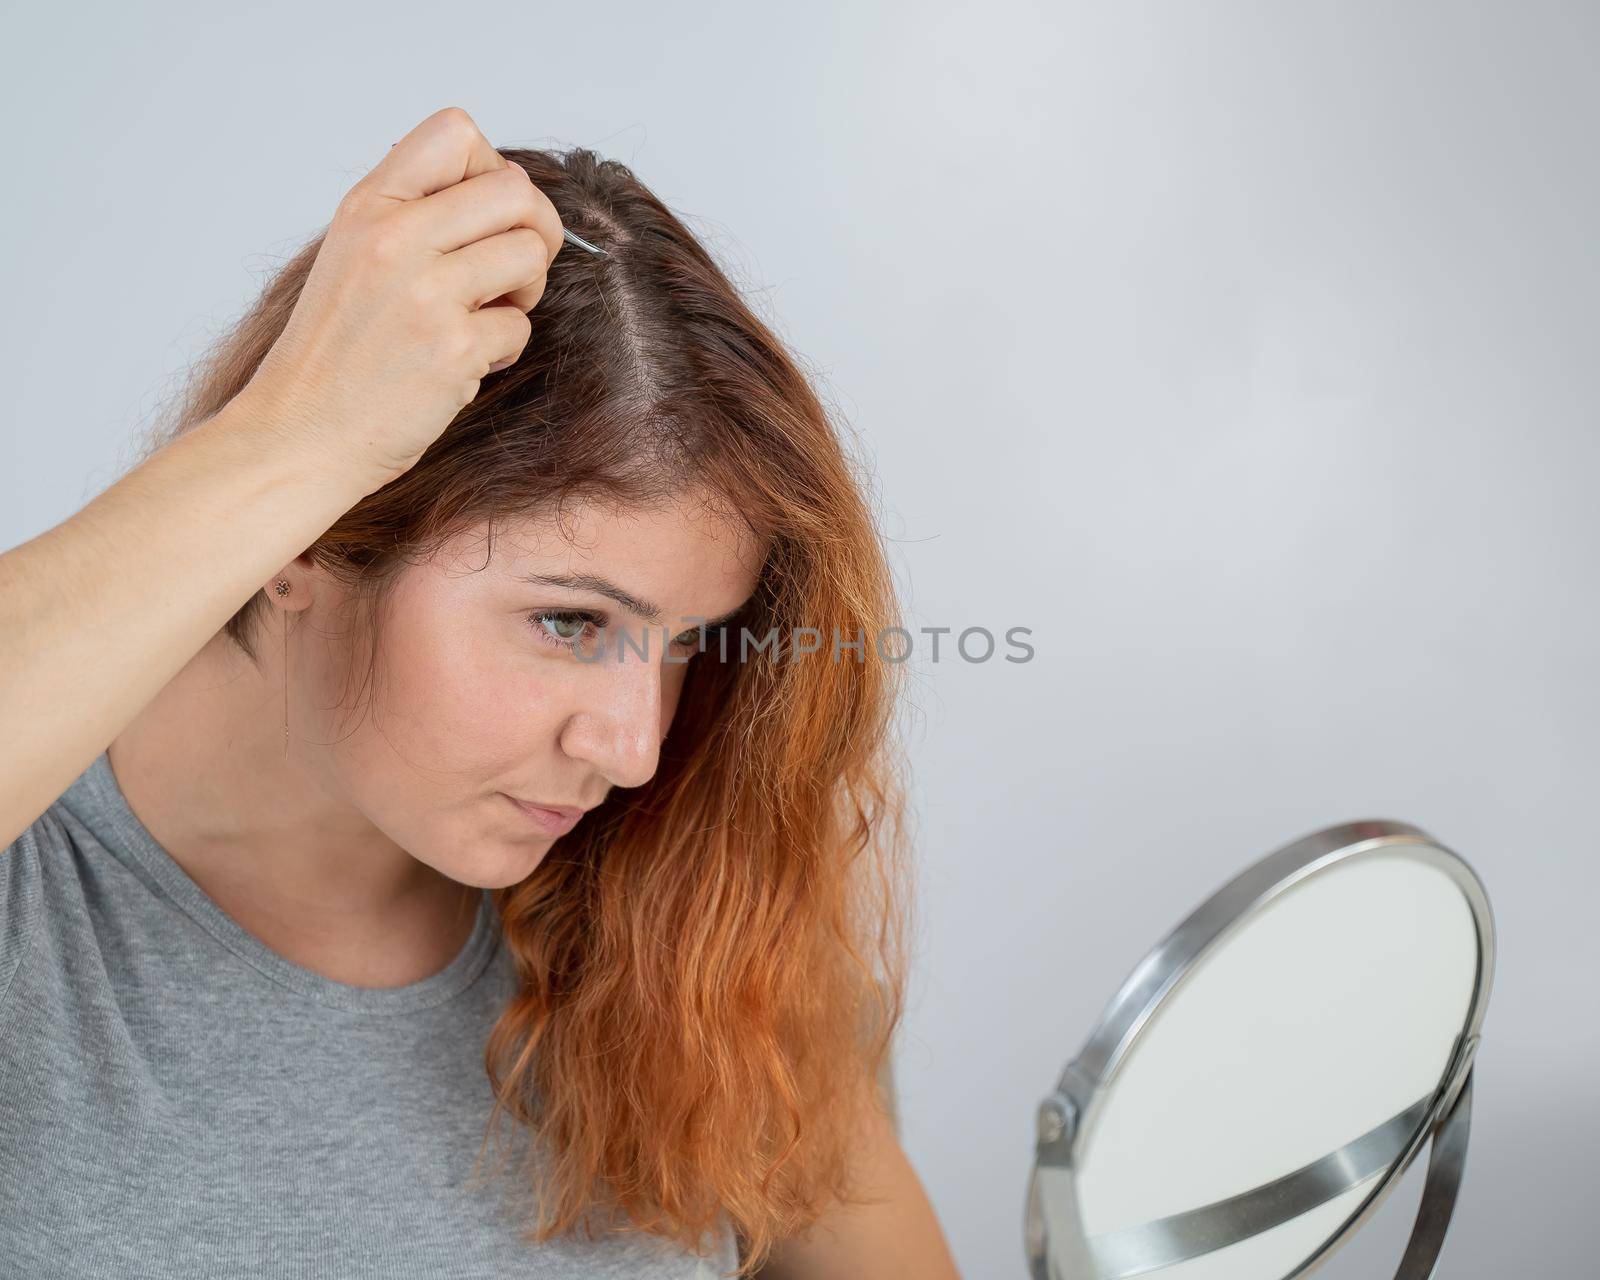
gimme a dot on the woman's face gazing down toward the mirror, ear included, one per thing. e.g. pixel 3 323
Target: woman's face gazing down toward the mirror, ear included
pixel 484 698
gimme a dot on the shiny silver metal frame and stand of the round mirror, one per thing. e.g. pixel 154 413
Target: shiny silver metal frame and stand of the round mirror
pixel 1054 1236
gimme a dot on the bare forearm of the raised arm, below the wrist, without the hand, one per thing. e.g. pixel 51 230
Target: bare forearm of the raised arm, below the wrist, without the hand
pixel 100 612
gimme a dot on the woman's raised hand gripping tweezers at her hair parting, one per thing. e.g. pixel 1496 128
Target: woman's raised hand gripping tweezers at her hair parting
pixel 422 287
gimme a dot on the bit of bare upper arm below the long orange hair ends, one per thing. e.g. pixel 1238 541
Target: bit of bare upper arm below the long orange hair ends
pixel 894 1241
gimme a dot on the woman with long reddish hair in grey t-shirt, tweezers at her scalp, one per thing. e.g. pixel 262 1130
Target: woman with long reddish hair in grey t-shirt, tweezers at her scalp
pixel 471 823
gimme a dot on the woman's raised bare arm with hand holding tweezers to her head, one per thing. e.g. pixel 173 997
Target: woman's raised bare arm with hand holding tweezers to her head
pixel 390 338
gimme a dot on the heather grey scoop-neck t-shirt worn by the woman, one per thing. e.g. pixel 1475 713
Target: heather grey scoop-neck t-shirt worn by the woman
pixel 178 1100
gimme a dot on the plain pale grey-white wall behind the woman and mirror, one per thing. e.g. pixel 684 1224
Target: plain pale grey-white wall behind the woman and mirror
pixel 1246 353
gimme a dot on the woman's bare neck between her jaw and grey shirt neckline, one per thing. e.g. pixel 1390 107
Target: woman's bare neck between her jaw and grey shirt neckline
pixel 271 839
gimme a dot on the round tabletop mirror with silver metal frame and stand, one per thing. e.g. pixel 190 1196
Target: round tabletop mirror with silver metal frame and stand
pixel 1271 1070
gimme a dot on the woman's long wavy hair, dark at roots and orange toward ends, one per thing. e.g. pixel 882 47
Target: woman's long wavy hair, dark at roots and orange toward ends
pixel 711 967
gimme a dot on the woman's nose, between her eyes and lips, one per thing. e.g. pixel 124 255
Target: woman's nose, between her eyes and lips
pixel 620 722
